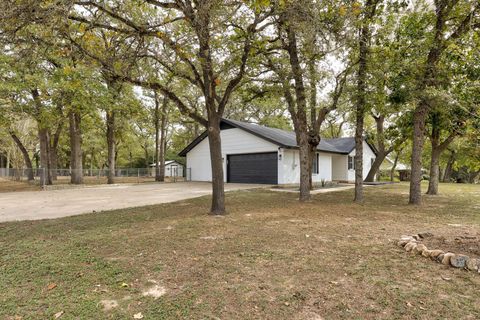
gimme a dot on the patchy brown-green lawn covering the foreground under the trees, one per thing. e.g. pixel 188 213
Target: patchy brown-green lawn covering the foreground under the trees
pixel 269 258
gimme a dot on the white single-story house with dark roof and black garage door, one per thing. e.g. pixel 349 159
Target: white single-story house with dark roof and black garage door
pixel 257 154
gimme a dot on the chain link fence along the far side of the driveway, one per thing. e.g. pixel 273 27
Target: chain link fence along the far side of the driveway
pixel 44 177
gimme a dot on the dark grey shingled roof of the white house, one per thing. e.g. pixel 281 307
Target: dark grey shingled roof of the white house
pixel 282 138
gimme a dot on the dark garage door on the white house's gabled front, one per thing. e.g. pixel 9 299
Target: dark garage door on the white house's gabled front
pixel 253 168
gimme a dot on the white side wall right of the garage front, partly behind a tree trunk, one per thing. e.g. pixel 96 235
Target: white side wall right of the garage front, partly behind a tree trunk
pixel 289 167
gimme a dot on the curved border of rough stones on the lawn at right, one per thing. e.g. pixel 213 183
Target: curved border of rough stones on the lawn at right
pixel 413 244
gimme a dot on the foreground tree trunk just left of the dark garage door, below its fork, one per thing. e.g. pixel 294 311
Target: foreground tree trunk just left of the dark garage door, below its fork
pixel 218 192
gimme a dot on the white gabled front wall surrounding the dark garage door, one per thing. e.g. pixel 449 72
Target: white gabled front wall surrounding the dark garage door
pixel 234 141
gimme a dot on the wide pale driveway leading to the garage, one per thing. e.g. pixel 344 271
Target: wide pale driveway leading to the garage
pixel 37 205
